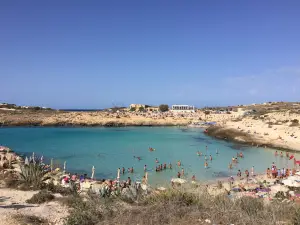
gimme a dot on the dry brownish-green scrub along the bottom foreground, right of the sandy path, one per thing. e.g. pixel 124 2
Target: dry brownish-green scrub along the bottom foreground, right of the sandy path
pixel 181 207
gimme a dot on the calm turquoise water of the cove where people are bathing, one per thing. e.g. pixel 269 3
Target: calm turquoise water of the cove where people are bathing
pixel 111 148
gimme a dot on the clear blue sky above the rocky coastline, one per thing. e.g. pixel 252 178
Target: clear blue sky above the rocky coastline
pixel 93 54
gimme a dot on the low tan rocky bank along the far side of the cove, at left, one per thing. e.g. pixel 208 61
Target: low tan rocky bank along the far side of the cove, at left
pixel 58 118
